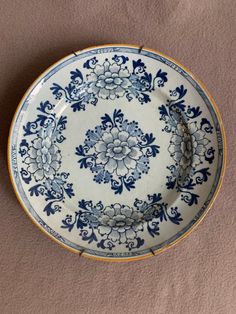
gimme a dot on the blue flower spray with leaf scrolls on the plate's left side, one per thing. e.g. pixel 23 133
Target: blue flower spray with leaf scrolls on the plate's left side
pixel 41 158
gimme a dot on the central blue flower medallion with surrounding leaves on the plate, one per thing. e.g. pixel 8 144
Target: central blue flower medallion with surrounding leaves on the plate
pixel 117 152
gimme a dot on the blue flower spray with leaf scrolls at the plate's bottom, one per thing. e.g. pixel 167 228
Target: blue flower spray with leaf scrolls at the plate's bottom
pixel 119 224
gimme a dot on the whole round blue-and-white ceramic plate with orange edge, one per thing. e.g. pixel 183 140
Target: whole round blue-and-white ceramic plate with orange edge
pixel 116 152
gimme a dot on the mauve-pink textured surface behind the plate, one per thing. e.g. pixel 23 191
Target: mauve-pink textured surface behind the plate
pixel 196 276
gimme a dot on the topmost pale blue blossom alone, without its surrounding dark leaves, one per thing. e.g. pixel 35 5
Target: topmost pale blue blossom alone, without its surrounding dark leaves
pixel 108 80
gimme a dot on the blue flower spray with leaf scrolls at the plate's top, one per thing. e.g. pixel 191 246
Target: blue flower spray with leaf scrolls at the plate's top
pixel 110 79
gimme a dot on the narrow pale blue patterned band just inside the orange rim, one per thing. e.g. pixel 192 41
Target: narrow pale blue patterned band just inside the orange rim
pixel 92 52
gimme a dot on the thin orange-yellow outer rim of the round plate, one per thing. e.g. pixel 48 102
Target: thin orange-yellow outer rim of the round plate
pixel 165 247
